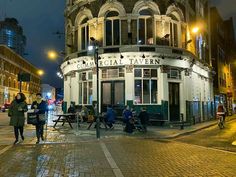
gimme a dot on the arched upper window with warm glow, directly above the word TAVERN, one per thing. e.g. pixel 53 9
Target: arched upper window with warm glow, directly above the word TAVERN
pixel 145 27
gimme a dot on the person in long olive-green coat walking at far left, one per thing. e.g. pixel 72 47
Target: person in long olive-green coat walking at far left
pixel 16 112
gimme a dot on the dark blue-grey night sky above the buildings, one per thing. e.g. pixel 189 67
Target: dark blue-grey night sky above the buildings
pixel 41 18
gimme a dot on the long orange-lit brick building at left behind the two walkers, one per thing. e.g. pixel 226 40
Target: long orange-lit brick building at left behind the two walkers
pixel 11 64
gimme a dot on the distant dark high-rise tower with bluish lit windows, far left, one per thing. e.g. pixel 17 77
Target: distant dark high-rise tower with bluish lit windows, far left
pixel 11 35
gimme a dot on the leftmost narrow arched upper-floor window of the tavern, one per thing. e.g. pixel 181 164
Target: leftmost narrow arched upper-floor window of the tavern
pixel 84 34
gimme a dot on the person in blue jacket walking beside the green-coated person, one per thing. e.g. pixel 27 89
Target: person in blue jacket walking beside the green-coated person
pixel 40 108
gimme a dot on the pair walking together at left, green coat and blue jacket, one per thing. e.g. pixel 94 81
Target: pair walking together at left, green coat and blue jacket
pixel 17 117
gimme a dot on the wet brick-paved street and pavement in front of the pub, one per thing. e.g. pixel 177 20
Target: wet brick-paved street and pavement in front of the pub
pixel 77 152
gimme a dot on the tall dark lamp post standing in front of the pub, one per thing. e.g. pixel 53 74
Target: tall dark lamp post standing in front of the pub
pixel 96 57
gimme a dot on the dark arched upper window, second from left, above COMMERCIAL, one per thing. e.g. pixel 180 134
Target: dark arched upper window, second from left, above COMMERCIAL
pixel 112 27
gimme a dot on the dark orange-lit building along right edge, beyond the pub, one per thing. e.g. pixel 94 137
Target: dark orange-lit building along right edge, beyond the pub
pixel 223 55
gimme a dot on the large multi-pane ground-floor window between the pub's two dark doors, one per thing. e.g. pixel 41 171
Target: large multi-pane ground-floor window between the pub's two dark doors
pixel 145 86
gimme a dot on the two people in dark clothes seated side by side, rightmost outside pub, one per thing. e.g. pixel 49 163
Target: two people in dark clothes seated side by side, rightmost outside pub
pixel 129 120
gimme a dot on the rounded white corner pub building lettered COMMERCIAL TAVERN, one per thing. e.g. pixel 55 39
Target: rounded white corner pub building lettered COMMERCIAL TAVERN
pixel 150 54
